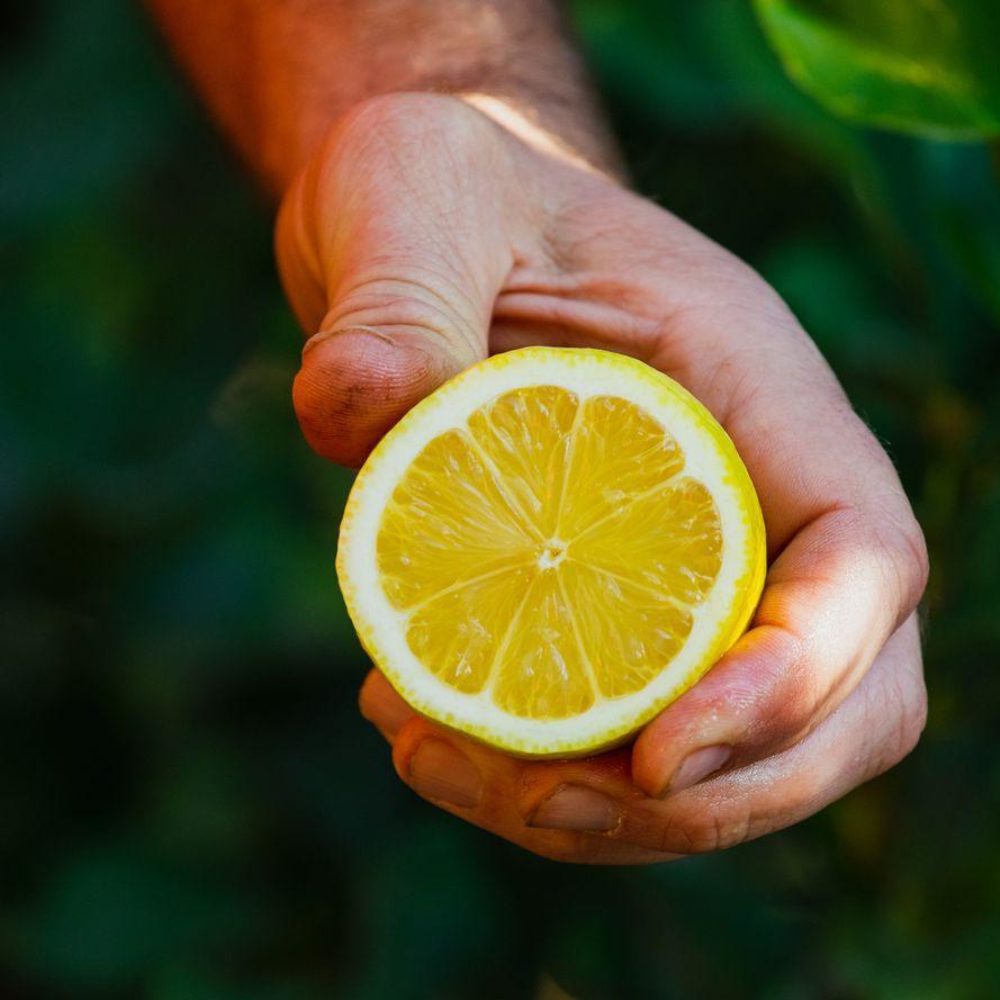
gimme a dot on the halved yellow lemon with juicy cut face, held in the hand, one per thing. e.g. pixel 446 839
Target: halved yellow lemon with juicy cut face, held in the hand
pixel 550 548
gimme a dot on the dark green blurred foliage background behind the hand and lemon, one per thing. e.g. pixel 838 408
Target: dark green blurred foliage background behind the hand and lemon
pixel 190 806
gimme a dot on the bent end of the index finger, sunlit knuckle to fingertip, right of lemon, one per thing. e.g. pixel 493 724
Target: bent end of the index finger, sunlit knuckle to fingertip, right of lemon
pixel 831 600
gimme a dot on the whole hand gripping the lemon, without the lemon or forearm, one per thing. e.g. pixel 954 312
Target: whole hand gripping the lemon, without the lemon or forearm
pixel 427 233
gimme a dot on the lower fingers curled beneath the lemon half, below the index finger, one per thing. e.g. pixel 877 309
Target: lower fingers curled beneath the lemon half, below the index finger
pixel 589 810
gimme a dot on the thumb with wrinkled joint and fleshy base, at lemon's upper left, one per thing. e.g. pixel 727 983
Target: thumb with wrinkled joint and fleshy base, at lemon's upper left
pixel 393 267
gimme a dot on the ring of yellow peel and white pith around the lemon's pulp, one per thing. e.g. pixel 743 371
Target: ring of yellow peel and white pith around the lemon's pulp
pixel 378 629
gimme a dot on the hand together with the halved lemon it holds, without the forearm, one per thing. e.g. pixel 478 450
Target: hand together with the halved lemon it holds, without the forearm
pixel 427 234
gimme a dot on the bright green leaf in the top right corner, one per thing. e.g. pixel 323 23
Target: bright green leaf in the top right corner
pixel 926 67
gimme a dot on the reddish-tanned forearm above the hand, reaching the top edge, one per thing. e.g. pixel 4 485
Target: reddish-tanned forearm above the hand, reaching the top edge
pixel 276 73
